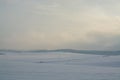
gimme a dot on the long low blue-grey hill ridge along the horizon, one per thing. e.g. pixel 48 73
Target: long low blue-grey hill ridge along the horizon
pixel 95 52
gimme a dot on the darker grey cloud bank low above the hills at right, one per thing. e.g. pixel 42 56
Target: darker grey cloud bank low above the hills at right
pixel 97 41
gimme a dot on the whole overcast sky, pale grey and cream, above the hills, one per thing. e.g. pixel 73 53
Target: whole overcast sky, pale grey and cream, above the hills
pixel 56 24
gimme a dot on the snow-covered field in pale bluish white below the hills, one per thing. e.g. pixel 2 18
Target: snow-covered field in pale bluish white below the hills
pixel 58 66
